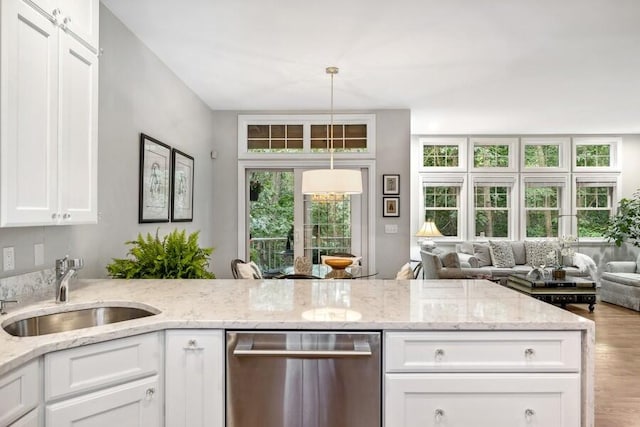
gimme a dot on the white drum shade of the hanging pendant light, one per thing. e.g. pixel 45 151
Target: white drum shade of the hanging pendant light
pixel 331 181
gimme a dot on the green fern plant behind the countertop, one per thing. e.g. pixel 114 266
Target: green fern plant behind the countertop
pixel 176 256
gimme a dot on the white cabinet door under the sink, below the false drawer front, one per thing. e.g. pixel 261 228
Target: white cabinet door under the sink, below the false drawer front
pixel 134 404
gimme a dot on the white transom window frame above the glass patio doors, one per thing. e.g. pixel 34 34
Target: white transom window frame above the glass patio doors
pixel 306 120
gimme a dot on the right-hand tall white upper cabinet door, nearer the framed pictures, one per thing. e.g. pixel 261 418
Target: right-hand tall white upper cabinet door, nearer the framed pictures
pixel 78 177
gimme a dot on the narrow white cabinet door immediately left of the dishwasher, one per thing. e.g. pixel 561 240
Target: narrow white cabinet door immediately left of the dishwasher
pixel 194 378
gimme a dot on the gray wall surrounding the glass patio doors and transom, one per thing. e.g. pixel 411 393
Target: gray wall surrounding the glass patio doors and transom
pixel 392 148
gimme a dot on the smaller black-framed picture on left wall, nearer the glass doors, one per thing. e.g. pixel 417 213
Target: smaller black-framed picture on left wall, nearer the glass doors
pixel 181 187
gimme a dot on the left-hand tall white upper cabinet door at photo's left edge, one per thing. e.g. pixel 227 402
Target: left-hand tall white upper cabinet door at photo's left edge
pixel 29 116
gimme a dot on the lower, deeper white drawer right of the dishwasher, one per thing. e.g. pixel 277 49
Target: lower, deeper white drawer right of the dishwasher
pixel 482 400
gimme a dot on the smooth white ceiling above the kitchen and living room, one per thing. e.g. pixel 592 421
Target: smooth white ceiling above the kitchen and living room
pixel 461 66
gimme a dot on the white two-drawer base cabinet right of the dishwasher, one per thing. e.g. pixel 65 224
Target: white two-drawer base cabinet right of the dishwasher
pixel 482 379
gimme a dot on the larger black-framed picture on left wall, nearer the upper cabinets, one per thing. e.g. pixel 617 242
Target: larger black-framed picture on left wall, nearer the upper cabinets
pixel 154 184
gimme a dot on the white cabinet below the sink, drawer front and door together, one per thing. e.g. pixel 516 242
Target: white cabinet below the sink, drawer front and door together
pixel 113 383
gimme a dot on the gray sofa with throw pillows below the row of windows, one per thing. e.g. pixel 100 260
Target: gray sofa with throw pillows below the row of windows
pixel 474 260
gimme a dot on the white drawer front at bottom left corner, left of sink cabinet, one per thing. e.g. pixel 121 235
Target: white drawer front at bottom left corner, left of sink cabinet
pixel 19 391
